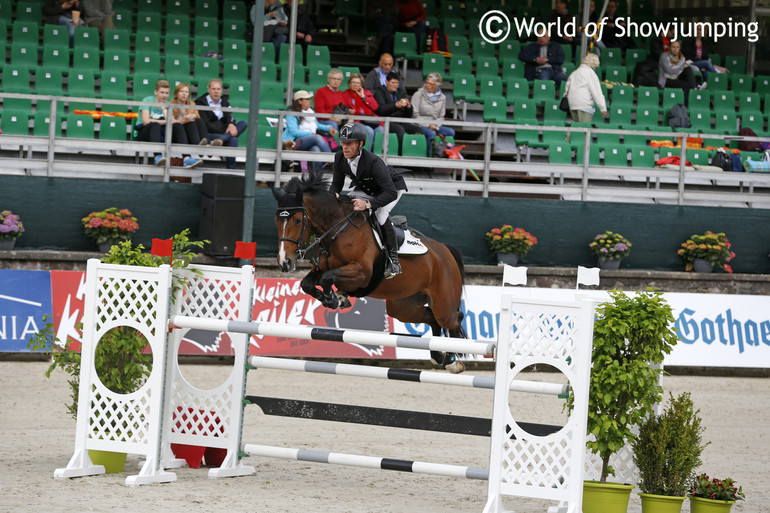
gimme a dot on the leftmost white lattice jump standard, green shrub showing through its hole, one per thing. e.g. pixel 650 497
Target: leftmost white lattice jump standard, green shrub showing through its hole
pixel 137 297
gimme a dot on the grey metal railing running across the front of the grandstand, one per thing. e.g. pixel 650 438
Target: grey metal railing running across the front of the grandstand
pixel 505 174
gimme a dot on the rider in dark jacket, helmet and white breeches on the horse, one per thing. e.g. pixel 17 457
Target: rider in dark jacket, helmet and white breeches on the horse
pixel 374 186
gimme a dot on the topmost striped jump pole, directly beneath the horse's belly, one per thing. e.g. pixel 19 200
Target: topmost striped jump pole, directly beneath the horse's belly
pixel 446 344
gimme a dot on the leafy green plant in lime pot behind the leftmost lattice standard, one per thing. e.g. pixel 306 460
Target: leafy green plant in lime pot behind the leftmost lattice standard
pixel 120 359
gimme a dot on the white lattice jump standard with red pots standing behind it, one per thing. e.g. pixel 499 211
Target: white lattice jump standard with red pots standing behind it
pixel 211 418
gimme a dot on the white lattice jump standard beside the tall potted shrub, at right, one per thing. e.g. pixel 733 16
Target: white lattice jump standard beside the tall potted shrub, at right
pixel 537 332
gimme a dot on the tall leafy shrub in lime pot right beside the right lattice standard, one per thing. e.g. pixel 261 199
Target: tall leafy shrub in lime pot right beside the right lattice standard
pixel 630 333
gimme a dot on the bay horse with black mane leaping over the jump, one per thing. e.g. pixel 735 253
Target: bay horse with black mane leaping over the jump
pixel 345 255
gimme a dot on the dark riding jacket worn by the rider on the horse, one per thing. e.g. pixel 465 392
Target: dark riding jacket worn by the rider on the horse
pixel 374 178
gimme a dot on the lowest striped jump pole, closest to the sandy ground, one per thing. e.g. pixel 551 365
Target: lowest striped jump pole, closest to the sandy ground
pixel 417 467
